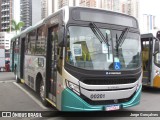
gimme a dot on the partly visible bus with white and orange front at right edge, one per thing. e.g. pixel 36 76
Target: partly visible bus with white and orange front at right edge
pixel 151 60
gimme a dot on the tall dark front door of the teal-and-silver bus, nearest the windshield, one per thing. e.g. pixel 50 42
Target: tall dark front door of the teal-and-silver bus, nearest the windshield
pixel 52 61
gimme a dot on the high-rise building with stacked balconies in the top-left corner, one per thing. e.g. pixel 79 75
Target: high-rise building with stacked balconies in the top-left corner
pixel 6 14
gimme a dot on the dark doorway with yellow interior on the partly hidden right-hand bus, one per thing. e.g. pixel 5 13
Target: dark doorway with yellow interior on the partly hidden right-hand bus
pixel 147 50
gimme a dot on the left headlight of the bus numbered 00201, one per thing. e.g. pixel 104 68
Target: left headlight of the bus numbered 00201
pixel 73 87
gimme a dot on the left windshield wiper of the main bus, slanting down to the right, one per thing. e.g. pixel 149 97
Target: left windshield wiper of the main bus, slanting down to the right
pixel 98 33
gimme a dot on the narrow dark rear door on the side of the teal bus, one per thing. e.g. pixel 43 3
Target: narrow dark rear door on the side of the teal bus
pixel 22 58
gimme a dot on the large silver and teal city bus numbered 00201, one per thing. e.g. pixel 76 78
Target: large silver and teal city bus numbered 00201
pixel 82 59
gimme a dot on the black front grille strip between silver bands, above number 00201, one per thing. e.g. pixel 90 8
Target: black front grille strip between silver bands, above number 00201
pixel 109 81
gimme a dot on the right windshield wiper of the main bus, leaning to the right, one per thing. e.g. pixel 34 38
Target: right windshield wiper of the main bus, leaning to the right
pixel 122 37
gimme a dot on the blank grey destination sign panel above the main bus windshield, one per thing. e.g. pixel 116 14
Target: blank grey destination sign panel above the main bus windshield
pixel 104 17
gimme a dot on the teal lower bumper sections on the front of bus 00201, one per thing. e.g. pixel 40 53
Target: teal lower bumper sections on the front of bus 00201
pixel 72 102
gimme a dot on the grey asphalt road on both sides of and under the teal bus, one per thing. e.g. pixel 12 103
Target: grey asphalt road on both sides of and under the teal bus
pixel 18 97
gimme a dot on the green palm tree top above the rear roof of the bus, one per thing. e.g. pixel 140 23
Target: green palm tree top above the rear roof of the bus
pixel 16 26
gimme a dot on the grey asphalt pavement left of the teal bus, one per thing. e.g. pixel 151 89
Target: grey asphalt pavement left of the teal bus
pixel 14 97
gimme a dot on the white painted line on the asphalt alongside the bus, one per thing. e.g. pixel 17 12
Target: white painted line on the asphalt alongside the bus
pixel 32 97
